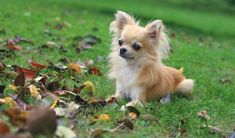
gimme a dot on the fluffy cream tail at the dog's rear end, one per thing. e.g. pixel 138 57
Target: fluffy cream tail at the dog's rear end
pixel 185 87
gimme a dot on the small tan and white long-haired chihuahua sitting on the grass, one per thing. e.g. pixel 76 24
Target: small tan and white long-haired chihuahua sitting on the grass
pixel 136 61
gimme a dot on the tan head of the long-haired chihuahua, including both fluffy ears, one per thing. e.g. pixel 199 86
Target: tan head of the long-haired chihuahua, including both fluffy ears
pixel 134 42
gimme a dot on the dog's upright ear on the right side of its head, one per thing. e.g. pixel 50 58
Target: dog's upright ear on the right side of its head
pixel 154 28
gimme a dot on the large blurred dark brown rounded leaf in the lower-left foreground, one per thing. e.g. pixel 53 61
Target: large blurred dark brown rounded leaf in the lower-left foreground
pixel 41 120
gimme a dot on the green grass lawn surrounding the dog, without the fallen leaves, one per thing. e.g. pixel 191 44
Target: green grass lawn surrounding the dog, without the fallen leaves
pixel 203 46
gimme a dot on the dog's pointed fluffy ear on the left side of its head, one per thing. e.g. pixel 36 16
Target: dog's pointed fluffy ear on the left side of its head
pixel 121 19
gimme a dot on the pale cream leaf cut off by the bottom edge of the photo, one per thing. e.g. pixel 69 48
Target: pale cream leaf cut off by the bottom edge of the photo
pixel 64 132
